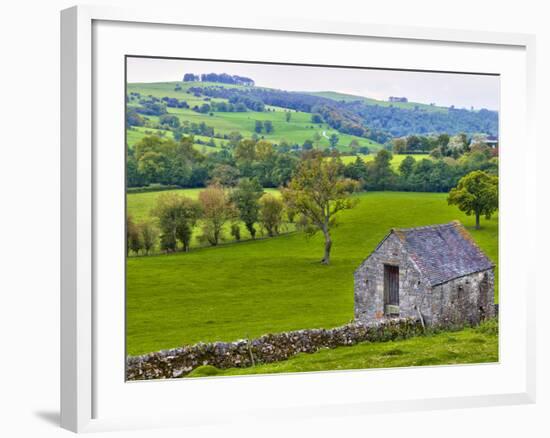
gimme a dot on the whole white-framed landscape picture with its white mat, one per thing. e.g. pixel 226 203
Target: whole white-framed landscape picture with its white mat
pixel 262 208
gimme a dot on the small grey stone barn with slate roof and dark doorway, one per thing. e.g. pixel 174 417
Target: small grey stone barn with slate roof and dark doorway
pixel 436 272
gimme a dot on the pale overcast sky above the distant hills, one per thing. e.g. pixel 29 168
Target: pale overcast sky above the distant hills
pixel 445 89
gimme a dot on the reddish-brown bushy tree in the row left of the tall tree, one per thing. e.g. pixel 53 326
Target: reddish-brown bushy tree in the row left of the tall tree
pixel 217 210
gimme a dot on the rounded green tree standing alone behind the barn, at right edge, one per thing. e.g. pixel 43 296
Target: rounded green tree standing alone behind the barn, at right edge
pixel 476 193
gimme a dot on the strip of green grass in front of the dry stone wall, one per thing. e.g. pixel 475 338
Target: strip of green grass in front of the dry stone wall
pixel 471 345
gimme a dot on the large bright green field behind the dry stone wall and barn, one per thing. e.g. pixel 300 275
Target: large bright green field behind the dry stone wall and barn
pixel 251 288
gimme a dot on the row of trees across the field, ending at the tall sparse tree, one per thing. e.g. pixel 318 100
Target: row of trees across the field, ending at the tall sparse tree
pixel 311 200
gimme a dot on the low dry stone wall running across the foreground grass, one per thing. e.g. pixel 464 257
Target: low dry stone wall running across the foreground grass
pixel 179 362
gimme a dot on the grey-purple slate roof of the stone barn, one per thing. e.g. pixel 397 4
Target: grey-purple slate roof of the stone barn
pixel 443 252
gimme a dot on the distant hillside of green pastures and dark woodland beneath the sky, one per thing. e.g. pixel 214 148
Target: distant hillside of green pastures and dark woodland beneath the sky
pixel 215 110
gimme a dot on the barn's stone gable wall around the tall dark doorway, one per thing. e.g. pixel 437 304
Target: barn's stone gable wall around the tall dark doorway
pixel 369 283
